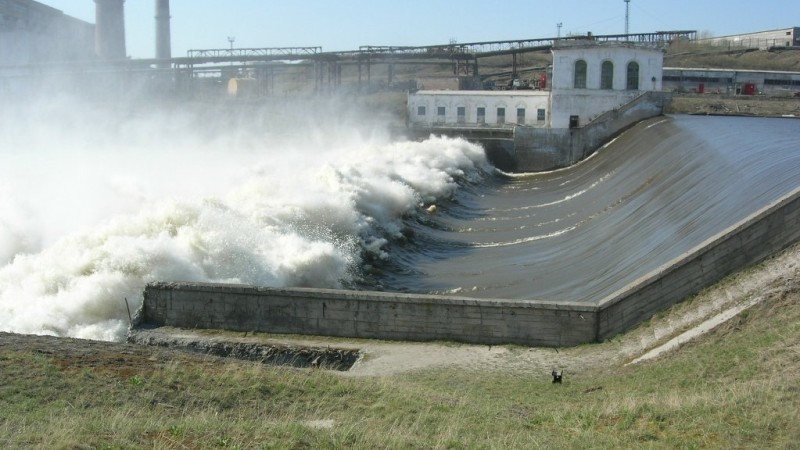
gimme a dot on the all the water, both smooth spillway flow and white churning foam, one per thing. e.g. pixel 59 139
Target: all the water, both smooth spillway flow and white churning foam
pixel 95 203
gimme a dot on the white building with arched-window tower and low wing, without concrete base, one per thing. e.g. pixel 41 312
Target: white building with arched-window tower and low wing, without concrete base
pixel 588 79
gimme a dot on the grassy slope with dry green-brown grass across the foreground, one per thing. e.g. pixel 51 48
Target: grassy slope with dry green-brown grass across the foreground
pixel 735 388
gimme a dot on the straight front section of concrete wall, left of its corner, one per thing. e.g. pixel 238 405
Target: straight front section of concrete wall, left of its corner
pixel 366 314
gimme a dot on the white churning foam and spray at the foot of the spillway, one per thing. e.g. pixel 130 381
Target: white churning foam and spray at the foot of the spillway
pixel 95 203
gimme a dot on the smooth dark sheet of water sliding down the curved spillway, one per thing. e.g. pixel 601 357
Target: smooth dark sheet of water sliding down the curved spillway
pixel 581 233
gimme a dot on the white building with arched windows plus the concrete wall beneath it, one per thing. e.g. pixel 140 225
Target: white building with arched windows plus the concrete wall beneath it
pixel 595 90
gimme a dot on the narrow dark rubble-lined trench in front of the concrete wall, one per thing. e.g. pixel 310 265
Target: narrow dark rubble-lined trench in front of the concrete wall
pixel 273 354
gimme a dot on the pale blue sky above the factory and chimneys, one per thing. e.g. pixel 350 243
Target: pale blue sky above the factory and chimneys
pixel 347 24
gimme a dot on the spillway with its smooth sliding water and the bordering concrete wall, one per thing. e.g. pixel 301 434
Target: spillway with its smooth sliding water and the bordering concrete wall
pixel 553 259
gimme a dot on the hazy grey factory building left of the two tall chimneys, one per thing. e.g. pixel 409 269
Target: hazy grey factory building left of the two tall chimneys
pixel 31 32
